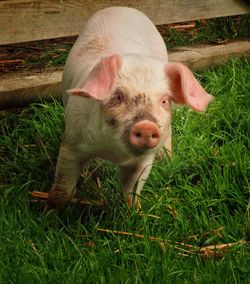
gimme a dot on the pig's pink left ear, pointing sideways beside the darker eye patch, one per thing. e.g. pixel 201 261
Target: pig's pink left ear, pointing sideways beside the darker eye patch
pixel 101 79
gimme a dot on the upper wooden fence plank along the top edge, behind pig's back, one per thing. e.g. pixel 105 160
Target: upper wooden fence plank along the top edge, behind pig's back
pixel 29 20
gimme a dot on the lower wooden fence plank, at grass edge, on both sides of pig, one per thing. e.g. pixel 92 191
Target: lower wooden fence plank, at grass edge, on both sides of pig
pixel 21 90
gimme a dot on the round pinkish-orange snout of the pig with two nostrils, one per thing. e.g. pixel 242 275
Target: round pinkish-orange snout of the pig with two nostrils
pixel 144 134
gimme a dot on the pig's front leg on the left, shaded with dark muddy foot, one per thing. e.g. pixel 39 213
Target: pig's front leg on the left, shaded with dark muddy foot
pixel 67 172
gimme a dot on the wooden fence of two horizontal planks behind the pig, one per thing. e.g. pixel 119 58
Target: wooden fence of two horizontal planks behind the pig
pixel 31 20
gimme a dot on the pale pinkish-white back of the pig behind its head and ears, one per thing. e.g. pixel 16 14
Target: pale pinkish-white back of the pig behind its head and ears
pixel 114 30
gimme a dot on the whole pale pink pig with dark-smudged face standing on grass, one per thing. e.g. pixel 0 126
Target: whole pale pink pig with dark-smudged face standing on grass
pixel 118 91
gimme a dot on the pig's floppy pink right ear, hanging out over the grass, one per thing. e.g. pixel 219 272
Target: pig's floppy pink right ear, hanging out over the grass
pixel 185 88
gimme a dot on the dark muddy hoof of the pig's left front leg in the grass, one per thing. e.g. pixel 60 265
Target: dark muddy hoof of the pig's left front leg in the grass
pixel 57 200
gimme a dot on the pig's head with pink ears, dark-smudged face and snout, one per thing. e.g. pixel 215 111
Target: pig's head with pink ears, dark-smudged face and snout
pixel 135 93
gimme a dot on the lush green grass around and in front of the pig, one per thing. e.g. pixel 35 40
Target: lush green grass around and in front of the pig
pixel 201 197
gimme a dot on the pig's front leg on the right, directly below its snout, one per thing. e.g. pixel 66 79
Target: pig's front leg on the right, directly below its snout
pixel 133 178
